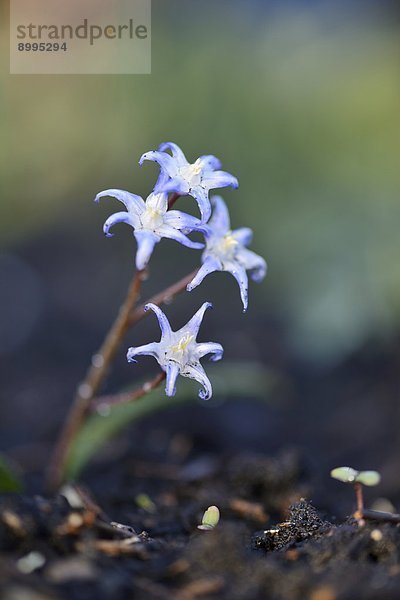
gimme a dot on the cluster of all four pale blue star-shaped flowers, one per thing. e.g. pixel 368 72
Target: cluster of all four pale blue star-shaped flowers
pixel 178 353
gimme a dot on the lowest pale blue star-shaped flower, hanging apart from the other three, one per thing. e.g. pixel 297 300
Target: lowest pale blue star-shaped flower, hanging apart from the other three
pixel 178 353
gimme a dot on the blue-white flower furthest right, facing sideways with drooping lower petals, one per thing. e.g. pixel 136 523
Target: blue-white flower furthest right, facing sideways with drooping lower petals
pixel 226 251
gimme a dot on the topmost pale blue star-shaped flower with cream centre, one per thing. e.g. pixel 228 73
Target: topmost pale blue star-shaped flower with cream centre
pixel 178 175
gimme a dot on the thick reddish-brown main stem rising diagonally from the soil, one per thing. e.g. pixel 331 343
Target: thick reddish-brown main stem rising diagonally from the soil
pixel 93 379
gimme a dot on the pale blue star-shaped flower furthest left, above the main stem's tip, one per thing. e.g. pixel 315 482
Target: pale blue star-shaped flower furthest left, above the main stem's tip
pixel 151 221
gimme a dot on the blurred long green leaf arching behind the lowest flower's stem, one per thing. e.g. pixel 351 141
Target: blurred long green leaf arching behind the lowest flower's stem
pixel 249 380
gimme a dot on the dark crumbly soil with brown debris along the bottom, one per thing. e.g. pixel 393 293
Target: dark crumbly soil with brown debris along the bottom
pixel 268 544
